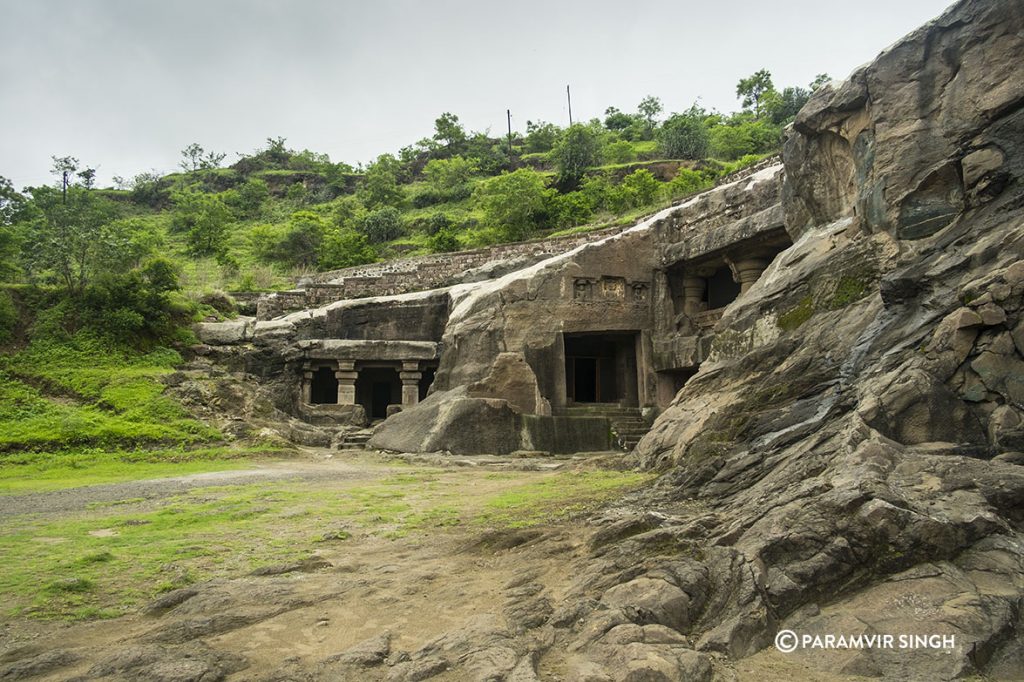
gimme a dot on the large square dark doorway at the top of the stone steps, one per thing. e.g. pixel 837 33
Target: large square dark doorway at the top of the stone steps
pixel 602 368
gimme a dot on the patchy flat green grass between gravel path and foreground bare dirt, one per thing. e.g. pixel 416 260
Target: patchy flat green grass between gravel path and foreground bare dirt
pixel 114 558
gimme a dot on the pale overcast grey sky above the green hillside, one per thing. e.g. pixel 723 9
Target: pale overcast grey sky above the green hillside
pixel 125 86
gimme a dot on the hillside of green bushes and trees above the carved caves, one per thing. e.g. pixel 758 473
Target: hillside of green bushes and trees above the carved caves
pixel 278 214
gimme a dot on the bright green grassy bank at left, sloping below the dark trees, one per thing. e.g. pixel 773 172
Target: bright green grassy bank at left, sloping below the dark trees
pixel 81 393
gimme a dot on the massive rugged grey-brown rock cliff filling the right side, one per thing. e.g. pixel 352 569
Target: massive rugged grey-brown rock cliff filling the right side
pixel 852 440
